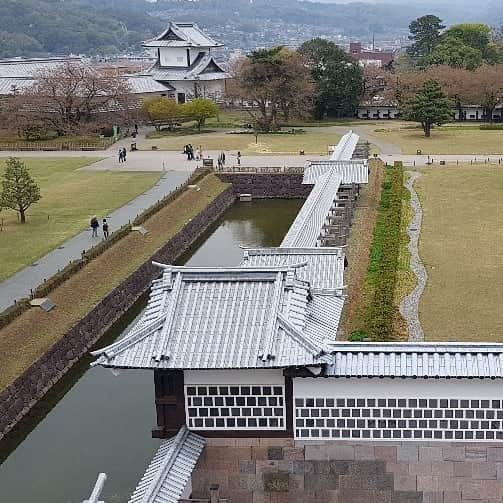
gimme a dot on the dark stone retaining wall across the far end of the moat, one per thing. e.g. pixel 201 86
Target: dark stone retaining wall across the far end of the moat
pixel 268 185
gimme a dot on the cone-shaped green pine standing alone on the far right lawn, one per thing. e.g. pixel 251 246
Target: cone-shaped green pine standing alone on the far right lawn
pixel 429 106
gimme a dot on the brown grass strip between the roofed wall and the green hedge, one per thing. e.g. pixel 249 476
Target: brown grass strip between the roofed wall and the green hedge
pixel 360 241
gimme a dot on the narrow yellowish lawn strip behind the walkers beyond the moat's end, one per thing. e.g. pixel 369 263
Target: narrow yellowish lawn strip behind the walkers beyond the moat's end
pixel 312 142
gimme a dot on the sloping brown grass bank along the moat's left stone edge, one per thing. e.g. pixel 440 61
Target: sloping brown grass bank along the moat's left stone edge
pixel 26 338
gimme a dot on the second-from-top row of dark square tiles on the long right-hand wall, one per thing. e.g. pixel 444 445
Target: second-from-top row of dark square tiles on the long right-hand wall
pixel 403 413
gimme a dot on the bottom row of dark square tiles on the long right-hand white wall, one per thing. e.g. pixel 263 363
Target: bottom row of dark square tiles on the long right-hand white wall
pixel 399 434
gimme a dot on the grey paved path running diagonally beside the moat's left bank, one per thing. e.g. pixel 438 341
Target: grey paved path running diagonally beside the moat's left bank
pixel 19 284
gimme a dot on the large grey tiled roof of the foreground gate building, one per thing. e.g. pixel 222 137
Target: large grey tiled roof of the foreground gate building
pixel 212 318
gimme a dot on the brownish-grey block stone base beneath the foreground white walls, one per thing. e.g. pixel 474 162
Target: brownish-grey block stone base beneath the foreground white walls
pixel 280 471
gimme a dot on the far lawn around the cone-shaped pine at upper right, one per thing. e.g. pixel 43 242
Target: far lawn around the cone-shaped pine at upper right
pixel 446 140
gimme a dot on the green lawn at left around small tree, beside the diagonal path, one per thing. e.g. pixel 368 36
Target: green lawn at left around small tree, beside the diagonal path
pixel 69 199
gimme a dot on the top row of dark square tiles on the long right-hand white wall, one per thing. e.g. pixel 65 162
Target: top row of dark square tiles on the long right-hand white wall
pixel 431 403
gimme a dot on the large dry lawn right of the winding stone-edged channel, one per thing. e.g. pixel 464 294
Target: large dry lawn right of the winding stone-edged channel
pixel 462 248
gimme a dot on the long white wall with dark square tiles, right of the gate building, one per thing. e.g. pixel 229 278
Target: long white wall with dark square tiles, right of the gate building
pixel 398 409
